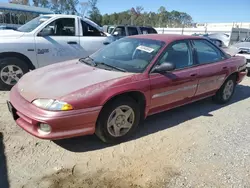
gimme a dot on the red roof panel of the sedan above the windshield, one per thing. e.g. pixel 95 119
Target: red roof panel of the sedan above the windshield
pixel 166 37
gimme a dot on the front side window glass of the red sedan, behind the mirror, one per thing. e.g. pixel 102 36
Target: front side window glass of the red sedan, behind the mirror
pixel 179 54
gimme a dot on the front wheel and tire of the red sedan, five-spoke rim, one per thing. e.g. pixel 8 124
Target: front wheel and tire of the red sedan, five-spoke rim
pixel 118 120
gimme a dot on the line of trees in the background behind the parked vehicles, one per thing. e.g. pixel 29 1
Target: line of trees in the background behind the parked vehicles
pixel 134 16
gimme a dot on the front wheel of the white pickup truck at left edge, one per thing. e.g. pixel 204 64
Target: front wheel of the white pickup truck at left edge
pixel 11 70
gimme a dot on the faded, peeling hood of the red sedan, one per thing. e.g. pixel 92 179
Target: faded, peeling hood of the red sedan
pixel 59 80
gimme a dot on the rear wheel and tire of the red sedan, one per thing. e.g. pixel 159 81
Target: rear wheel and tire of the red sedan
pixel 225 93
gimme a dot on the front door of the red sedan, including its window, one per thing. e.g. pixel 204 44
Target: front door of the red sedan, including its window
pixel 176 87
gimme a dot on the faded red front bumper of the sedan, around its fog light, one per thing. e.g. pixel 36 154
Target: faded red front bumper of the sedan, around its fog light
pixel 63 124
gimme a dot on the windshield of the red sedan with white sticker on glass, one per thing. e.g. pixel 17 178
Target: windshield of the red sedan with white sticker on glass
pixel 128 54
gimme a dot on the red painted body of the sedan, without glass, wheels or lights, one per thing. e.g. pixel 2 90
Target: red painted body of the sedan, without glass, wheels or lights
pixel 87 89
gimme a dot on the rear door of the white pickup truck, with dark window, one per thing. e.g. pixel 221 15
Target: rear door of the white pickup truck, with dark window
pixel 91 39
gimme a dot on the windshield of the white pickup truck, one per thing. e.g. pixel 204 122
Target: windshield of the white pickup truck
pixel 33 24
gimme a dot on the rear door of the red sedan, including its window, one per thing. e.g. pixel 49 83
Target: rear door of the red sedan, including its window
pixel 212 69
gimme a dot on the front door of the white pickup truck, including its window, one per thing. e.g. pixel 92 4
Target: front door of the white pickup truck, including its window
pixel 60 44
